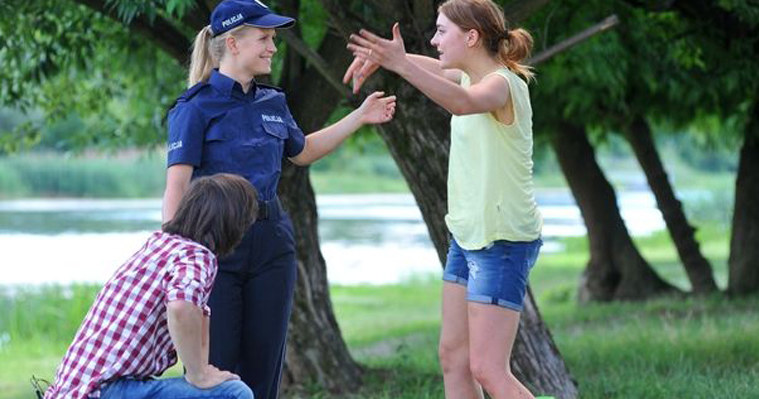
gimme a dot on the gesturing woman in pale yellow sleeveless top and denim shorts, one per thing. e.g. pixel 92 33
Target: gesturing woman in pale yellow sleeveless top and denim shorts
pixel 492 215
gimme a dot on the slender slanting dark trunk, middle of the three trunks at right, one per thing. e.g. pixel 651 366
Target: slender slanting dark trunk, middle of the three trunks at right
pixel 697 267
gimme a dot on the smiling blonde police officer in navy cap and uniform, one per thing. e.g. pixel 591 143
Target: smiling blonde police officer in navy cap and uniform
pixel 226 122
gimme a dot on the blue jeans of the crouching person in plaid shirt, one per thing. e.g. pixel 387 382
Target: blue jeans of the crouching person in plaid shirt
pixel 173 388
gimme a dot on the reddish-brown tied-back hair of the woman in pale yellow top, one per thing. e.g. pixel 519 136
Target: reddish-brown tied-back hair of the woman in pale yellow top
pixel 510 46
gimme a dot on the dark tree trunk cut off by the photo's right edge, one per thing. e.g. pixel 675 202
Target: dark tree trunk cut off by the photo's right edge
pixel 744 251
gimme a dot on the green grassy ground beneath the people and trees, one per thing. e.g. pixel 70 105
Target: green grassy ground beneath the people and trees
pixel 665 348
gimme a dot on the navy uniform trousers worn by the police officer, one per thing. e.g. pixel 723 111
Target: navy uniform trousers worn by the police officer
pixel 251 302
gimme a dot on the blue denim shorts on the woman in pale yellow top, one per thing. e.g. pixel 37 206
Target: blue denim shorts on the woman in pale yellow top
pixel 496 274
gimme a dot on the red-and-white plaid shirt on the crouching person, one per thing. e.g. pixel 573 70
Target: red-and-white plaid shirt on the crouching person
pixel 126 333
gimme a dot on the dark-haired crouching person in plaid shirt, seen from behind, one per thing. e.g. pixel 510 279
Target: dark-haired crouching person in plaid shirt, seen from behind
pixel 154 307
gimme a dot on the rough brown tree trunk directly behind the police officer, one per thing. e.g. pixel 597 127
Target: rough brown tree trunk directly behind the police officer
pixel 316 351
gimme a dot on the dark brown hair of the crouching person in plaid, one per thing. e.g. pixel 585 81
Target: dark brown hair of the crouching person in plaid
pixel 215 212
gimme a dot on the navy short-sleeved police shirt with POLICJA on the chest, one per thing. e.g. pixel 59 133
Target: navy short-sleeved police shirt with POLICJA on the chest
pixel 217 128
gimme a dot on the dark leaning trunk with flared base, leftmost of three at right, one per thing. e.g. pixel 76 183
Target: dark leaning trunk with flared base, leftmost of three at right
pixel 616 269
